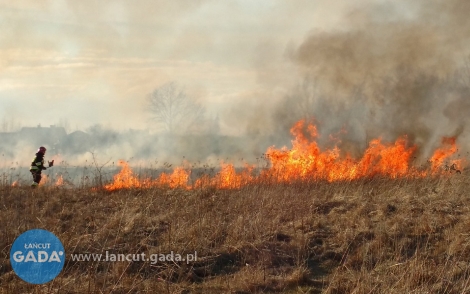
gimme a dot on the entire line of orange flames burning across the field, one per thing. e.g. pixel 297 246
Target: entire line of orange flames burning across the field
pixel 306 162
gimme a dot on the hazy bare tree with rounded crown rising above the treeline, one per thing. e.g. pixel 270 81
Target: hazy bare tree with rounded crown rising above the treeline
pixel 174 110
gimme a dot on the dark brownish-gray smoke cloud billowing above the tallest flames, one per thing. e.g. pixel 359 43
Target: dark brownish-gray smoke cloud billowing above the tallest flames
pixel 386 74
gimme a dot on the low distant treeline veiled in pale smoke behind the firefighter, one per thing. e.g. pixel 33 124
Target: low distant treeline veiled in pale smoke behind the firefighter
pixel 137 144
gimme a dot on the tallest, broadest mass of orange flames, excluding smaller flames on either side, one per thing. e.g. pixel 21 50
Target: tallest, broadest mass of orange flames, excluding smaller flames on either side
pixel 305 161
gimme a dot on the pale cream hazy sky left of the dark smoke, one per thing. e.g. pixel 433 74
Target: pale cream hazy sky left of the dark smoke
pixel 95 61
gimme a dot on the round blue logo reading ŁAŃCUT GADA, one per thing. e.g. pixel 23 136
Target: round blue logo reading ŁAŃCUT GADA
pixel 37 256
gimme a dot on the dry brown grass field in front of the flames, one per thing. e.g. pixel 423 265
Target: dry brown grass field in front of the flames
pixel 371 236
